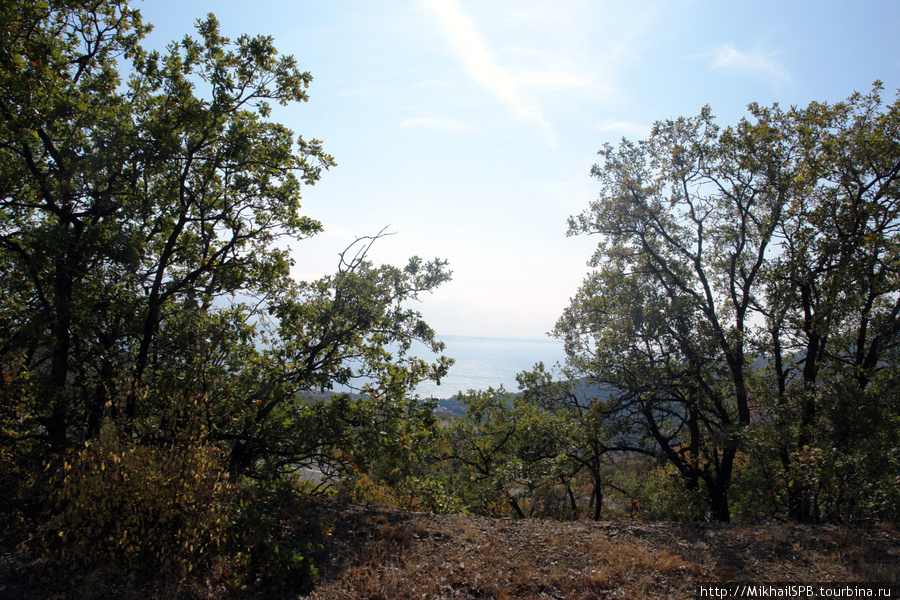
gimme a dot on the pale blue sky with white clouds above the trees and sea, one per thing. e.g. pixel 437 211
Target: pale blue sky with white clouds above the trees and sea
pixel 468 128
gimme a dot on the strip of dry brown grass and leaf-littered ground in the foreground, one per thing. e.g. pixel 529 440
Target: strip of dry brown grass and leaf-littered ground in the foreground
pixel 386 554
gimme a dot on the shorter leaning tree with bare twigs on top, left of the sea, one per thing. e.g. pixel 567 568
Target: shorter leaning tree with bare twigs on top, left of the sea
pixel 351 329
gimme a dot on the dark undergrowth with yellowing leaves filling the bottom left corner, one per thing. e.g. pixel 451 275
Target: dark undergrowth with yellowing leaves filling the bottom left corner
pixel 152 521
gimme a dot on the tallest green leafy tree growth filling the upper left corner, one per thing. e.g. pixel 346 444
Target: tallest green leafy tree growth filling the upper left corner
pixel 126 207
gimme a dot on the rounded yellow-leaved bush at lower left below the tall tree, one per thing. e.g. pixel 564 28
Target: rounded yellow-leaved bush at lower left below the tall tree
pixel 130 509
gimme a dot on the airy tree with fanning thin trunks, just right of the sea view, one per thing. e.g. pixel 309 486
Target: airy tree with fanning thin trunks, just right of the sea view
pixel 664 318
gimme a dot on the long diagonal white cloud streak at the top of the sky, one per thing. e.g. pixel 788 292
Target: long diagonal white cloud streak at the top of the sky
pixel 477 60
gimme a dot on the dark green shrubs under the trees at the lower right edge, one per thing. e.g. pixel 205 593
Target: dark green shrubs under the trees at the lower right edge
pixel 847 467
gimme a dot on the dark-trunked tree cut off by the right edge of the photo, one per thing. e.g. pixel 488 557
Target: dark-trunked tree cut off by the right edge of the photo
pixel 832 301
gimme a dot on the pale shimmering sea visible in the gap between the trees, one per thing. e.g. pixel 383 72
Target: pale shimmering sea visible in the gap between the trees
pixel 489 362
